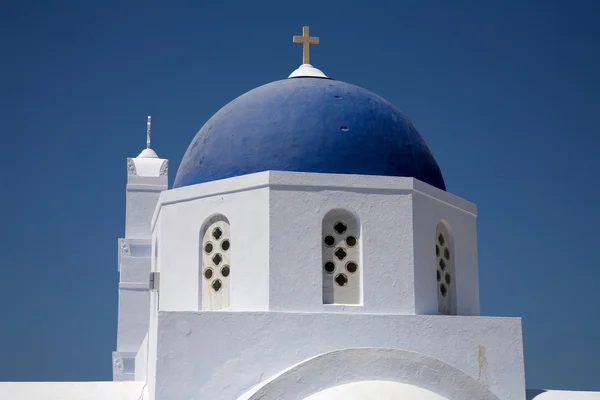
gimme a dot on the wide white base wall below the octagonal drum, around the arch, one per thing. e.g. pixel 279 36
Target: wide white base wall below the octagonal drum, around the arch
pixel 249 347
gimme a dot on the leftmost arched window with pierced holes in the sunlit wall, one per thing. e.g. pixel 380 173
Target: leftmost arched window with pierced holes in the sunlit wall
pixel 215 265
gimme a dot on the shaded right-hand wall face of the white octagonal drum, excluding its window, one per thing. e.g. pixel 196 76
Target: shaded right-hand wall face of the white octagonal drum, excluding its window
pixel 430 206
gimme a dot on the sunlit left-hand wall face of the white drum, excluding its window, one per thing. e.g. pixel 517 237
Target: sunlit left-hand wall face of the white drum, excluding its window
pixel 183 212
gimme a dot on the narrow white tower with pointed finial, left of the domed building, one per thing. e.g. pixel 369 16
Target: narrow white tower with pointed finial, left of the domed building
pixel 147 176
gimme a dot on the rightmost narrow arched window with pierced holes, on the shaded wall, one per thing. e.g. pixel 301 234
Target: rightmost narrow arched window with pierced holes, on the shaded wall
pixel 444 254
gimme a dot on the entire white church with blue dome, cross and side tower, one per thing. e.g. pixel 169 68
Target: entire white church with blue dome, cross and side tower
pixel 308 249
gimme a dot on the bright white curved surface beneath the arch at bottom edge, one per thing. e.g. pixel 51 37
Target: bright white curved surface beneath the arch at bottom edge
pixel 380 390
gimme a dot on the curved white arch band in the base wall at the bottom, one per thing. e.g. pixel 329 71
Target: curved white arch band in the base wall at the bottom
pixel 370 364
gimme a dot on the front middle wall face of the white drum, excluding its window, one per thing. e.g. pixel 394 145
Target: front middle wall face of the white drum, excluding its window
pixel 299 202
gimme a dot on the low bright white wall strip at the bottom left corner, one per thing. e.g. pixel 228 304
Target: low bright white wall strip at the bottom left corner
pixel 71 390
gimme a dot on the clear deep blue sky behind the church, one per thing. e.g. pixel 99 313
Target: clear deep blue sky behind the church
pixel 507 94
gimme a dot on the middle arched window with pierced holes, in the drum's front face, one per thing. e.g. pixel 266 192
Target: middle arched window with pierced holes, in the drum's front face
pixel 341 261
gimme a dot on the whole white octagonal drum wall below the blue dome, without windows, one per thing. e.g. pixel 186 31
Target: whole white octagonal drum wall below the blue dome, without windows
pixel 276 222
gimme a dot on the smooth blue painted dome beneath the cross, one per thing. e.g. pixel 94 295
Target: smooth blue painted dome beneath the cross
pixel 308 125
